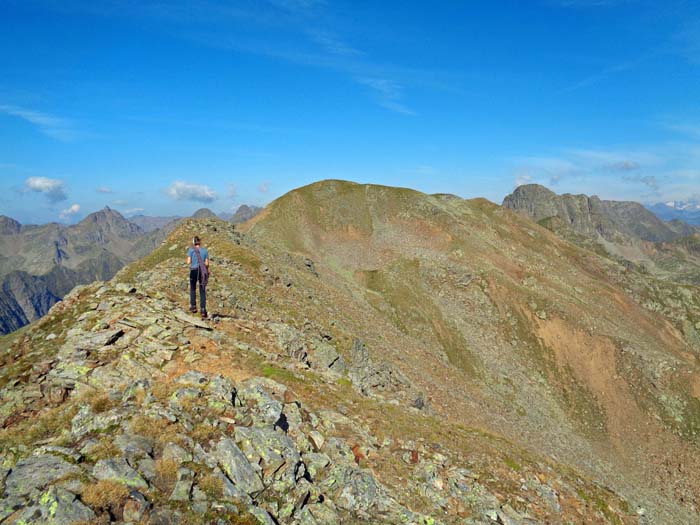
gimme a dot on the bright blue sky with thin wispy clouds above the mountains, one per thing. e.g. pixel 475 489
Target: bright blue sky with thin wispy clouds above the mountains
pixel 164 107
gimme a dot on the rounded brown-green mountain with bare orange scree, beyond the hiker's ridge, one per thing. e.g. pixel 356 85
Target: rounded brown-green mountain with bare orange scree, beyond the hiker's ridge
pixel 500 301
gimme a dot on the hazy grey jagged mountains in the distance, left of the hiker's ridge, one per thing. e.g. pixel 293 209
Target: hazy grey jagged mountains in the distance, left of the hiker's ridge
pixel 41 264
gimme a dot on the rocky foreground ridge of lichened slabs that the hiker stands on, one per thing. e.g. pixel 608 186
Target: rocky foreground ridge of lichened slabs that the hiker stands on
pixel 117 407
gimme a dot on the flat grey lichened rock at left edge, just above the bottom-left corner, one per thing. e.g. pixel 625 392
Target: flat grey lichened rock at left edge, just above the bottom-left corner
pixel 36 472
